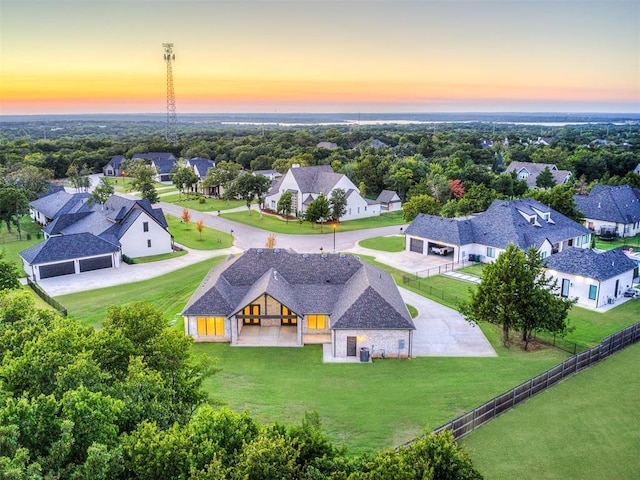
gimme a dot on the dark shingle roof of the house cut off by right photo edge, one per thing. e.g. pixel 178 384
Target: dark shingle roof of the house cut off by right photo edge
pixel 619 204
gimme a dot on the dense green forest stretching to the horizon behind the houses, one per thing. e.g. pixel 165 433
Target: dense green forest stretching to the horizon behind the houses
pixel 457 166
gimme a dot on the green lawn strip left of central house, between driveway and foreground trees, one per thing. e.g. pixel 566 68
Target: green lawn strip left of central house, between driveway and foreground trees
pixel 169 293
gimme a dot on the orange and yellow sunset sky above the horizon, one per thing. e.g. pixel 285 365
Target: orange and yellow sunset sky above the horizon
pixel 103 56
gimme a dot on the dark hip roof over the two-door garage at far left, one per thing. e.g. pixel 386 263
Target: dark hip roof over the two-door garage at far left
pixel 67 247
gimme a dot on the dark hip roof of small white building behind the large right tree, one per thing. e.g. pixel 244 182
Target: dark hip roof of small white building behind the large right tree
pixel 588 263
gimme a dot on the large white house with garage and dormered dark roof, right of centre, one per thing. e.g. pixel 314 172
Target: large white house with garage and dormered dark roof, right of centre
pixel 482 237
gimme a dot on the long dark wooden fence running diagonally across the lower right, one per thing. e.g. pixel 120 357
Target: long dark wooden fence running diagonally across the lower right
pixel 477 417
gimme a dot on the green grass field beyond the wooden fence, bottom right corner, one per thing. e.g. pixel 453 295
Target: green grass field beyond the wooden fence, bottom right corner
pixel 585 427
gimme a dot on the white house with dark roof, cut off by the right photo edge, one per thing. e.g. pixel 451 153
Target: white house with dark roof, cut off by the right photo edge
pixel 611 211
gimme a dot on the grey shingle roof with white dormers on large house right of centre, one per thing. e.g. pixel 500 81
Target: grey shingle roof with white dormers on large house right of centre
pixel 502 223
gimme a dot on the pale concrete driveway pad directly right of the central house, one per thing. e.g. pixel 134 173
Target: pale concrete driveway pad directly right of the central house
pixel 443 332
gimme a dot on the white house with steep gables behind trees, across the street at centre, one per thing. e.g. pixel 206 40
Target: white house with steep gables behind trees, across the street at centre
pixel 307 183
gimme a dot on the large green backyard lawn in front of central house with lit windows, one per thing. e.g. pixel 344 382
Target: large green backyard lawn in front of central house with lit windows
pixel 363 406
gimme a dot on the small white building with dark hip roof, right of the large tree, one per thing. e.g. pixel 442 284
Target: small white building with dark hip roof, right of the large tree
pixel 595 279
